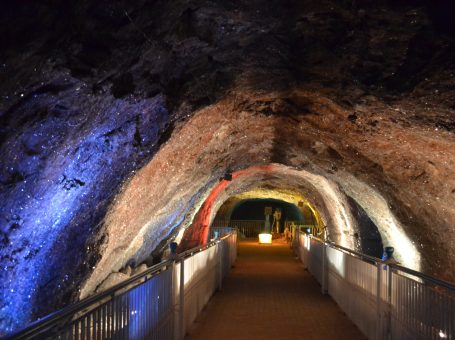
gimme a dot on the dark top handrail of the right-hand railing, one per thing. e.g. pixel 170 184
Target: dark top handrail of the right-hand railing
pixel 395 267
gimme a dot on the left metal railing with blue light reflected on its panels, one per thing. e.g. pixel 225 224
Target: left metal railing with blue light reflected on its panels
pixel 159 303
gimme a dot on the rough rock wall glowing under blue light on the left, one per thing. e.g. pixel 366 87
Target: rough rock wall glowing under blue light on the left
pixel 64 154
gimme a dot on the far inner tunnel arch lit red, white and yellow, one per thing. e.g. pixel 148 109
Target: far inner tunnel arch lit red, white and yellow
pixel 320 201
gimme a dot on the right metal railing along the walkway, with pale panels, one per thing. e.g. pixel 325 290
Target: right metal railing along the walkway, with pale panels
pixel 384 301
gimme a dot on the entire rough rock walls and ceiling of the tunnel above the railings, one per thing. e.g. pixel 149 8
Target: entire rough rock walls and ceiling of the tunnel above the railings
pixel 125 126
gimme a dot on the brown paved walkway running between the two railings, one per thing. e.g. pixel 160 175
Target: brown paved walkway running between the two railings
pixel 268 295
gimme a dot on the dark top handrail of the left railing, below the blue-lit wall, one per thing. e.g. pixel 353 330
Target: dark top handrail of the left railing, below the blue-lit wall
pixel 62 315
